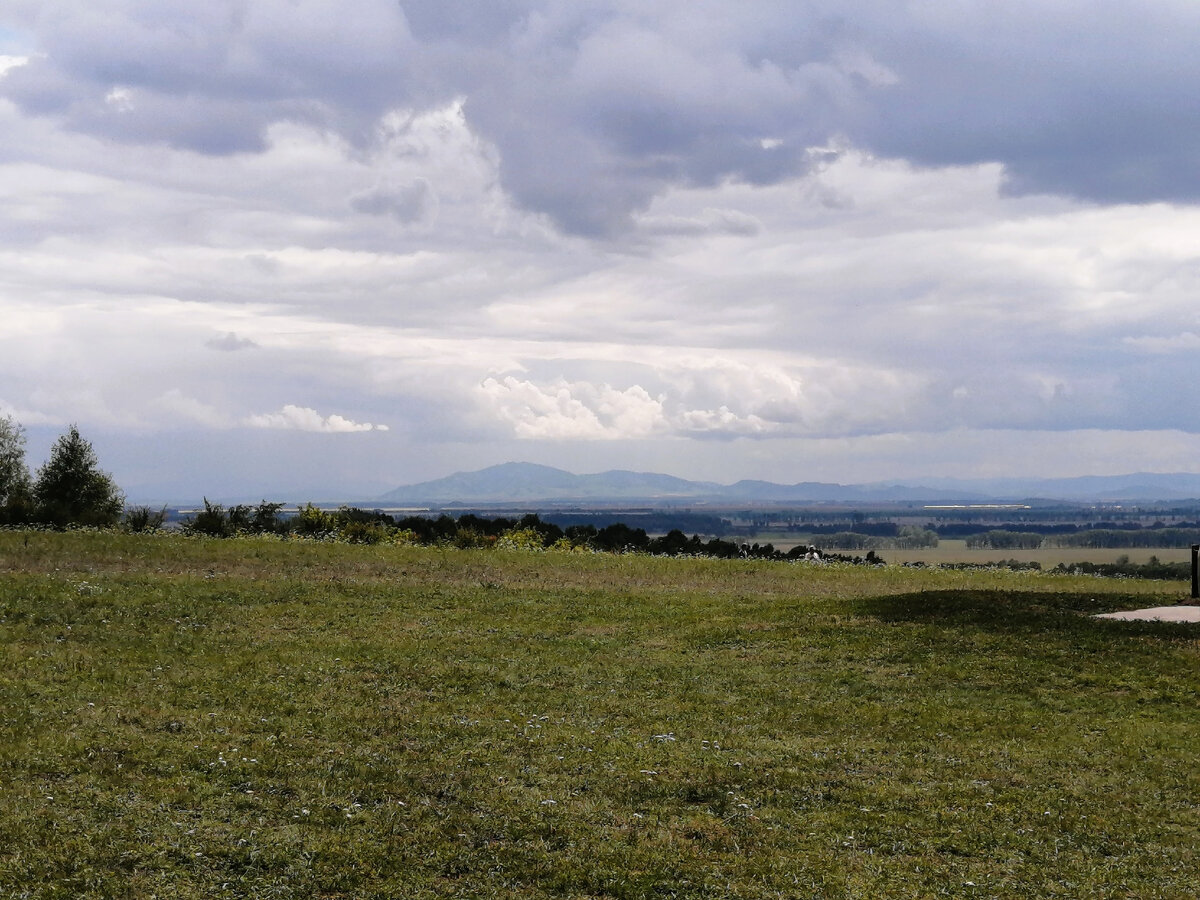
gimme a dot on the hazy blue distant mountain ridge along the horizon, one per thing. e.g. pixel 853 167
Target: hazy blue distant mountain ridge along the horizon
pixel 530 483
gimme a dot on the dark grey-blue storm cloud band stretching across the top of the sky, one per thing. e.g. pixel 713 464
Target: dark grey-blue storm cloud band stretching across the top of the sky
pixel 597 109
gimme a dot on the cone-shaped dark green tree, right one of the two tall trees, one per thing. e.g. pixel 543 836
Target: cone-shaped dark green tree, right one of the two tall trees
pixel 71 489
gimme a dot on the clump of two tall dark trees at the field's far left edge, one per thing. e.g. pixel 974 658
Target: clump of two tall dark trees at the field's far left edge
pixel 69 490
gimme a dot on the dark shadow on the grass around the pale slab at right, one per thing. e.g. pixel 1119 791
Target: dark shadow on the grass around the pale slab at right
pixel 1022 611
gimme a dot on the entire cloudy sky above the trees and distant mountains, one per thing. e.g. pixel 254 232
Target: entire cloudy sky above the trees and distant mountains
pixel 311 250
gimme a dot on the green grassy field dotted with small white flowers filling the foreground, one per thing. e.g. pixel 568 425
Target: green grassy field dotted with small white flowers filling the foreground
pixel 188 718
